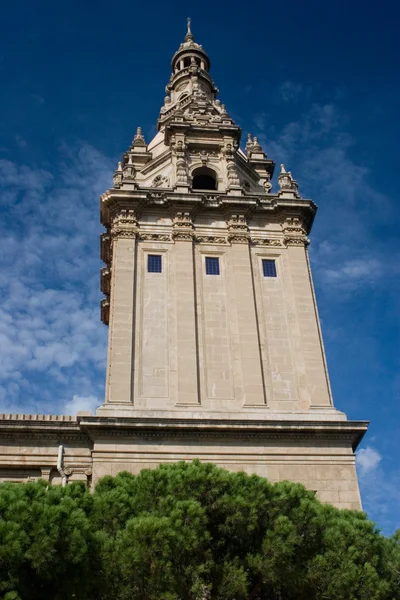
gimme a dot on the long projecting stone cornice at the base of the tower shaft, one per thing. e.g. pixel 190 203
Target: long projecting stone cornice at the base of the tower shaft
pixel 53 427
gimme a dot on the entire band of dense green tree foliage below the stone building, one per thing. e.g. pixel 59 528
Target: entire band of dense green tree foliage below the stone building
pixel 189 531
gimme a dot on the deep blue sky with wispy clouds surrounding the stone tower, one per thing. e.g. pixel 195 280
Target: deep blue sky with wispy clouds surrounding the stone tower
pixel 317 82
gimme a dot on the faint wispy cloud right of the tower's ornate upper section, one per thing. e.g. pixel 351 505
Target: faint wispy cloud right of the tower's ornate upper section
pixel 316 148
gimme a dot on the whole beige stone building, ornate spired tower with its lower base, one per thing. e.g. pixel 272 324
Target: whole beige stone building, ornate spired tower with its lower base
pixel 228 366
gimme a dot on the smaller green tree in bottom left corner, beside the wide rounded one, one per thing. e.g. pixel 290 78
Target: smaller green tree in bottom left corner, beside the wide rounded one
pixel 46 541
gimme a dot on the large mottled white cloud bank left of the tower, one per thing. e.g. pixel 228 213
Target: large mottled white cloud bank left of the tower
pixel 52 343
